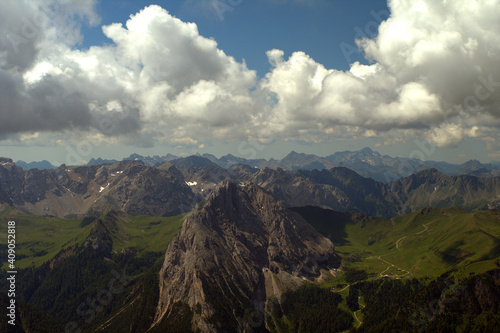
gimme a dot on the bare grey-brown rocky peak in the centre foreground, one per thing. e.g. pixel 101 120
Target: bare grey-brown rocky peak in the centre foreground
pixel 241 248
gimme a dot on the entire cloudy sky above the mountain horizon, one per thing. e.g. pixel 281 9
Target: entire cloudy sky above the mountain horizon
pixel 252 78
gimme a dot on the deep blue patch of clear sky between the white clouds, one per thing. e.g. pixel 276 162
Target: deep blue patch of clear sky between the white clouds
pixel 249 28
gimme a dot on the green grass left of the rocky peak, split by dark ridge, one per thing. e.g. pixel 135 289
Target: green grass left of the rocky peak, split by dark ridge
pixel 39 239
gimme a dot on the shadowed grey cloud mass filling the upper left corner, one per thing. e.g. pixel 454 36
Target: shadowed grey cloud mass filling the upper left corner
pixel 52 104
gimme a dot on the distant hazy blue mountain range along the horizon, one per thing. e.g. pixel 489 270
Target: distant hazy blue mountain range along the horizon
pixel 365 162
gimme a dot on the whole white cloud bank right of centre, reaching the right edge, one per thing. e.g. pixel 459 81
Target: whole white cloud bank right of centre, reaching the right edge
pixel 435 68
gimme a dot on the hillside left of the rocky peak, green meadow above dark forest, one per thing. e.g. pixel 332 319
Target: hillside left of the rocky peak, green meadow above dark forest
pixel 58 272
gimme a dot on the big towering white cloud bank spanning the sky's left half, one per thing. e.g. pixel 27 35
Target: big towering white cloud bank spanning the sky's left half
pixel 160 76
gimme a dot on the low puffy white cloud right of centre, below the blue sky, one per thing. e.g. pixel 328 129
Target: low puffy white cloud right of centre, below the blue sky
pixel 365 96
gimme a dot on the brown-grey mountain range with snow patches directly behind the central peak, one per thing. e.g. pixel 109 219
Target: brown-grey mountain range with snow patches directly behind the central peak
pixel 166 190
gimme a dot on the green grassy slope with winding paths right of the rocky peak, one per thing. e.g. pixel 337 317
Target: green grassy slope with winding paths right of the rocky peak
pixel 435 241
